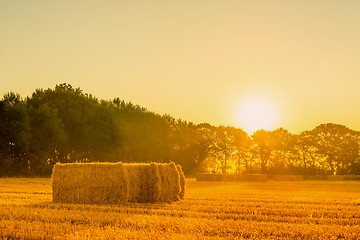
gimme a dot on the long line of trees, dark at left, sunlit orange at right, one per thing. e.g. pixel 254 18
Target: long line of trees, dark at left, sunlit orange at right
pixel 66 125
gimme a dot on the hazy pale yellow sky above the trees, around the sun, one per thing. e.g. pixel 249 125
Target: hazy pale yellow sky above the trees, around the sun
pixel 195 60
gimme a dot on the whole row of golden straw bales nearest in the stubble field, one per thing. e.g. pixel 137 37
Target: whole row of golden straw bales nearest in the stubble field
pixel 114 183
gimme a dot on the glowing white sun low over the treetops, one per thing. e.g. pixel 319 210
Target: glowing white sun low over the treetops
pixel 256 113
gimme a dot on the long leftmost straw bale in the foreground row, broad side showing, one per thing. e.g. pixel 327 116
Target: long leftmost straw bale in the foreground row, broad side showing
pixel 89 183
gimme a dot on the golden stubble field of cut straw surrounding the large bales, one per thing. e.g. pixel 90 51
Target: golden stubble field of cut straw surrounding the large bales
pixel 211 210
